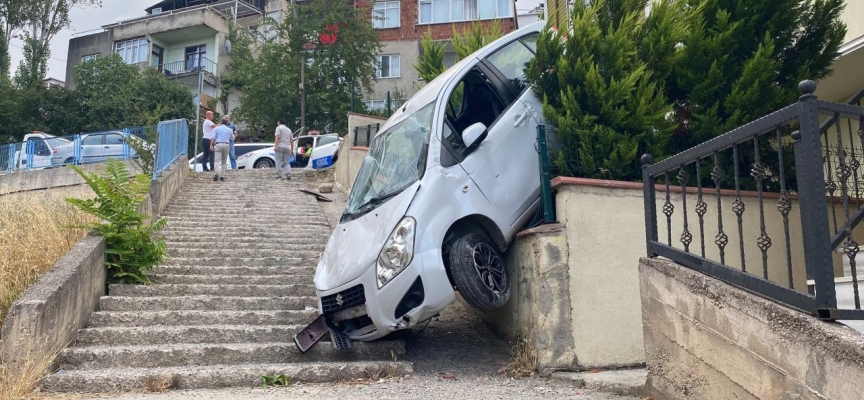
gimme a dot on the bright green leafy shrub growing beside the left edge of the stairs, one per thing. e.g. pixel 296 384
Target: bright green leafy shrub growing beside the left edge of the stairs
pixel 132 248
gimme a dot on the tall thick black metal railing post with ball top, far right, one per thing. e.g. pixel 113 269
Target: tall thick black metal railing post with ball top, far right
pixel 814 210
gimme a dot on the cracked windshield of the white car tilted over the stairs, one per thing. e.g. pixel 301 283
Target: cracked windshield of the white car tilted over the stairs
pixel 396 159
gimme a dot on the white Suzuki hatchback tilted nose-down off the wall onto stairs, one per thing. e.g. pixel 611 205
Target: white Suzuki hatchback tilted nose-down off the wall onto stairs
pixel 447 183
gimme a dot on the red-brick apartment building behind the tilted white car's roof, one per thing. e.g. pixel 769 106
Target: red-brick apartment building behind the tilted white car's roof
pixel 402 24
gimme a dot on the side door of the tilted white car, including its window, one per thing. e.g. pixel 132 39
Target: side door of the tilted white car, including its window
pixel 505 166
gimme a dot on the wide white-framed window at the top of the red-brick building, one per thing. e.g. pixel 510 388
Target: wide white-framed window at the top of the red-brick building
pixel 444 11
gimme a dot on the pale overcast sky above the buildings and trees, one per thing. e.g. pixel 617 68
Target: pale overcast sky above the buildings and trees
pixel 85 19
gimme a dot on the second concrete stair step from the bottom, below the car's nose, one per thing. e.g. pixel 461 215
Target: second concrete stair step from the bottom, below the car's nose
pixel 178 355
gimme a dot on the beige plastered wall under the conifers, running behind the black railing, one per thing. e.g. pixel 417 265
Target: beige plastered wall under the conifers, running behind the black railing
pixel 586 266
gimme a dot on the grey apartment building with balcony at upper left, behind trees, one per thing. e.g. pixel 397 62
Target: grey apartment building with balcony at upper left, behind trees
pixel 184 39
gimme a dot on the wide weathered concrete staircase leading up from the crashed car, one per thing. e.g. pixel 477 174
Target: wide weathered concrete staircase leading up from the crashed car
pixel 226 306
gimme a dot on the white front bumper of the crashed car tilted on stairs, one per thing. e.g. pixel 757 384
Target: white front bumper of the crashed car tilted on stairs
pixel 367 313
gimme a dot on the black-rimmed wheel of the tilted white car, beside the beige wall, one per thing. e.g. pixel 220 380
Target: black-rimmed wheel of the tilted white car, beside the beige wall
pixel 479 272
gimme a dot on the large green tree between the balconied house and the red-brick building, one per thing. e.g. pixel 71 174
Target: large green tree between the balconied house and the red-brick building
pixel 331 70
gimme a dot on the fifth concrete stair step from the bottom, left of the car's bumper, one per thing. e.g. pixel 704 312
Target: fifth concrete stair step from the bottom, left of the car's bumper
pixel 206 303
